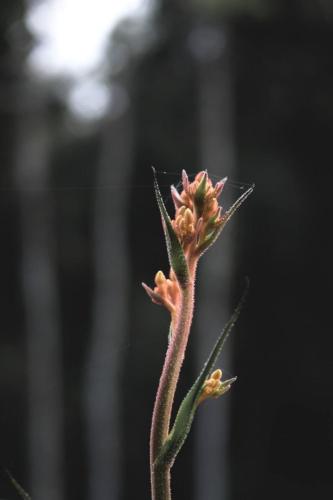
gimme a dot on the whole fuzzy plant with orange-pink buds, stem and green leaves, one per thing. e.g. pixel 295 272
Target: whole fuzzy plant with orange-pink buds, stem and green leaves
pixel 198 222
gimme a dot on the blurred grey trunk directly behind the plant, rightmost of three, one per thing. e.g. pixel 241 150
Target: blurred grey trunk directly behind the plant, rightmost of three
pixel 217 156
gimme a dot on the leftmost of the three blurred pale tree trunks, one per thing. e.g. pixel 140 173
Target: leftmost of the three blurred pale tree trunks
pixel 40 296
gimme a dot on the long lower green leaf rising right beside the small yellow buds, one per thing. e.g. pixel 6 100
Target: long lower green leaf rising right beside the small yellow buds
pixel 187 409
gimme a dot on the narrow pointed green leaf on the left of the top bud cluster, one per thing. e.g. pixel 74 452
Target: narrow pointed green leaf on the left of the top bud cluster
pixel 175 251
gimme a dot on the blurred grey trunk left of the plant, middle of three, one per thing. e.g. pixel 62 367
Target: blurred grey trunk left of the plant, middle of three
pixel 110 311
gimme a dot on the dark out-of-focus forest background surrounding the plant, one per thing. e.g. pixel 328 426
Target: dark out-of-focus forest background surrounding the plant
pixel 241 88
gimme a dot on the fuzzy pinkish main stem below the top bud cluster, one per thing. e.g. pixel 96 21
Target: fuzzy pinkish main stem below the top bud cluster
pixel 160 476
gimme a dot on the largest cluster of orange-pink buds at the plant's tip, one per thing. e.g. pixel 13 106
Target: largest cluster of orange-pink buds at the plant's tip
pixel 198 218
